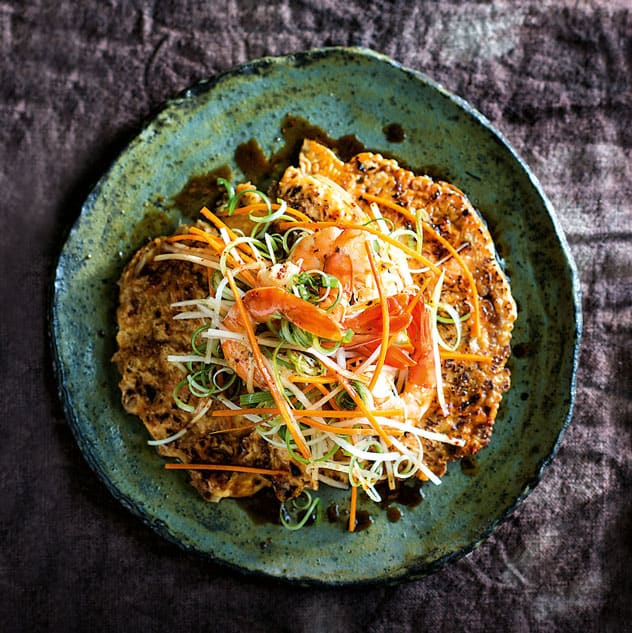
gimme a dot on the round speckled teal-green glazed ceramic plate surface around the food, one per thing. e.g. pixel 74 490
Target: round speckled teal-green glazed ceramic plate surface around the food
pixel 344 91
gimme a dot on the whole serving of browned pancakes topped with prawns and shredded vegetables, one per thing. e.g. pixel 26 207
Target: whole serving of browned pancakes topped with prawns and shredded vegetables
pixel 344 202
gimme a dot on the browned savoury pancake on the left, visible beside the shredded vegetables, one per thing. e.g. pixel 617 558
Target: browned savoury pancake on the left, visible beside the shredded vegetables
pixel 147 335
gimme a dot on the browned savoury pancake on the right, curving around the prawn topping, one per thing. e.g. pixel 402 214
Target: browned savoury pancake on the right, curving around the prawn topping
pixel 473 390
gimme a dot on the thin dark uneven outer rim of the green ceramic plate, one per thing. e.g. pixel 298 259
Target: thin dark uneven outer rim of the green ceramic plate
pixel 198 89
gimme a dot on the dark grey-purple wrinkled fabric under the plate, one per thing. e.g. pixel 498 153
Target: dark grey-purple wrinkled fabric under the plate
pixel 76 80
